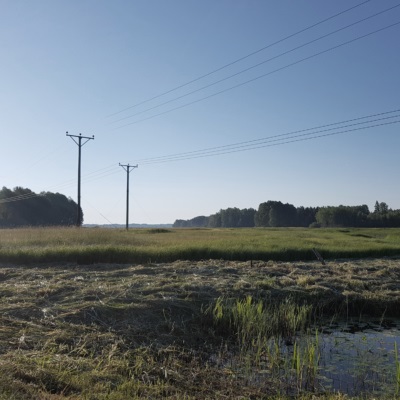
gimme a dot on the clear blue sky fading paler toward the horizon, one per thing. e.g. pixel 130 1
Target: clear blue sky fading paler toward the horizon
pixel 205 98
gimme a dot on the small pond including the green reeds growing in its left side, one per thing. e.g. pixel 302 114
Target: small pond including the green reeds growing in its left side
pixel 356 359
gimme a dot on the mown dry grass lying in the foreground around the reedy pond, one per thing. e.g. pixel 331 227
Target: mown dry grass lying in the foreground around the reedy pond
pixel 121 331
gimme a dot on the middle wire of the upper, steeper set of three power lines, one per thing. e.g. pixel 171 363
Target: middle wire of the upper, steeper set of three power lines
pixel 256 65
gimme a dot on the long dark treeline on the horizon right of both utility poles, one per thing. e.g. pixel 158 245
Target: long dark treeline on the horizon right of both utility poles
pixel 277 214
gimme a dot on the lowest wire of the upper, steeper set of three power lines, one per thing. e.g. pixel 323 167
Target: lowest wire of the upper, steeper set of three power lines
pixel 262 76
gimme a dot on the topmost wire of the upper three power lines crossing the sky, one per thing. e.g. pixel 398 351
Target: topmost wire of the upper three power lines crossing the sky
pixel 241 58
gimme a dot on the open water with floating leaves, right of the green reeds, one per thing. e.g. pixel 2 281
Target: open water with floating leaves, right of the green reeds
pixel 360 358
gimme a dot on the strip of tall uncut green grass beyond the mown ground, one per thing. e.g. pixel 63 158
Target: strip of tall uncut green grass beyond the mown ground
pixel 93 245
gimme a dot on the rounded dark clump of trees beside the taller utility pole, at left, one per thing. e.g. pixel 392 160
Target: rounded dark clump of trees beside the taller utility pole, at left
pixel 22 207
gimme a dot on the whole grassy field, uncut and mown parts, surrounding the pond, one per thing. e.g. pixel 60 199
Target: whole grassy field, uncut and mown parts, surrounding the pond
pixel 80 323
